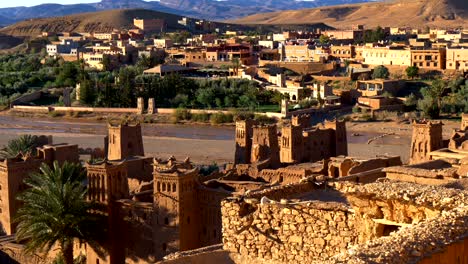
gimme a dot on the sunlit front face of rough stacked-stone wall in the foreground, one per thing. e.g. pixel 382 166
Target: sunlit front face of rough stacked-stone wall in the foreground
pixel 288 233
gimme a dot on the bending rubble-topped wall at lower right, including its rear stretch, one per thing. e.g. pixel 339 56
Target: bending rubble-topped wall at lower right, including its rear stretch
pixel 440 239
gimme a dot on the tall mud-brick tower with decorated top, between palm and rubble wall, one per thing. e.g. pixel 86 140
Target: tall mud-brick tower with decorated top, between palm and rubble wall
pixel 176 221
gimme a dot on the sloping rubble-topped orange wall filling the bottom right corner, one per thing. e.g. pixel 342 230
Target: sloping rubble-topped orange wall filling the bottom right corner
pixel 440 240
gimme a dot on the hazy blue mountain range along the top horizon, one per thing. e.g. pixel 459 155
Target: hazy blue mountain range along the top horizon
pixel 207 9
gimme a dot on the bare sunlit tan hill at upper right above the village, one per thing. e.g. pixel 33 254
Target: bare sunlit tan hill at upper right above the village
pixel 417 13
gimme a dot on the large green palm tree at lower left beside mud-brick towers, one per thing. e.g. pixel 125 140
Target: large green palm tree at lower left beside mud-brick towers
pixel 55 211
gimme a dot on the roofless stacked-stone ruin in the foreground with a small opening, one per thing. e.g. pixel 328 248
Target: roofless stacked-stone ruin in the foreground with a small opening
pixel 306 227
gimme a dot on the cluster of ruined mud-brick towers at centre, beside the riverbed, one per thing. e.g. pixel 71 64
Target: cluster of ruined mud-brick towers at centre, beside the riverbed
pixel 298 142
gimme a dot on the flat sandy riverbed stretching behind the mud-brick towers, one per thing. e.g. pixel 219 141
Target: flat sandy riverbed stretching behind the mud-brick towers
pixel 205 144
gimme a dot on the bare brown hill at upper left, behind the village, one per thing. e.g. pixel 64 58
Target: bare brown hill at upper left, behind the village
pixel 103 21
